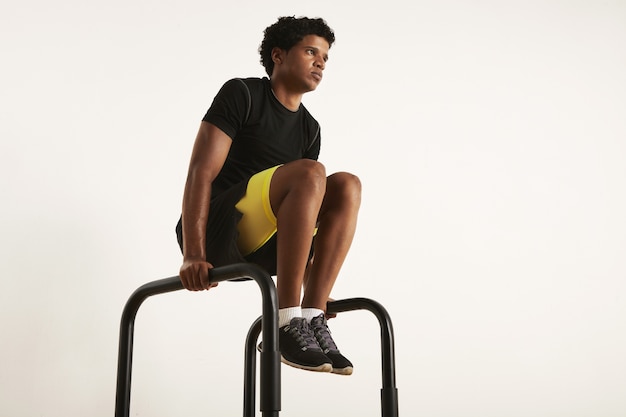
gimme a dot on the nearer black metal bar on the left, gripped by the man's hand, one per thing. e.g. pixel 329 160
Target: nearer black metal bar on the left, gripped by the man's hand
pixel 270 358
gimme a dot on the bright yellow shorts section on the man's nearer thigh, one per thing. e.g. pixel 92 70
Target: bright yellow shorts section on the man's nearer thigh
pixel 258 223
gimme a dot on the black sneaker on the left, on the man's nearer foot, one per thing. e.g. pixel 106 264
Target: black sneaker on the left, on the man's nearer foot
pixel 298 347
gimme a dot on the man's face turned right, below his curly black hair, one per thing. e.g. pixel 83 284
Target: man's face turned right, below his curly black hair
pixel 302 67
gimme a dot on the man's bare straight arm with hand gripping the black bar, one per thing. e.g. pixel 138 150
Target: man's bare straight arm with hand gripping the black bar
pixel 207 159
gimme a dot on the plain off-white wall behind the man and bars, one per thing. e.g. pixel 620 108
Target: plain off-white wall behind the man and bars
pixel 490 138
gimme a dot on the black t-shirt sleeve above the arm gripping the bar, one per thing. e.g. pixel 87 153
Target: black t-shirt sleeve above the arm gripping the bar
pixel 230 108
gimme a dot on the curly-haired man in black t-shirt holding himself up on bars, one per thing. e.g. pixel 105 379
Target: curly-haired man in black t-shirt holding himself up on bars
pixel 256 193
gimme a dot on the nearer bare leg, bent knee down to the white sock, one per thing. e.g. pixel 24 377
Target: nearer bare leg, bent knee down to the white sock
pixel 296 195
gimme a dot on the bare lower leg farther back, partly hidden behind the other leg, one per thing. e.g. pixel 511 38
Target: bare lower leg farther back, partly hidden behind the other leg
pixel 337 225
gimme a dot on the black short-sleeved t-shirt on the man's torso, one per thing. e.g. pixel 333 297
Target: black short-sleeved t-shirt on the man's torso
pixel 264 132
